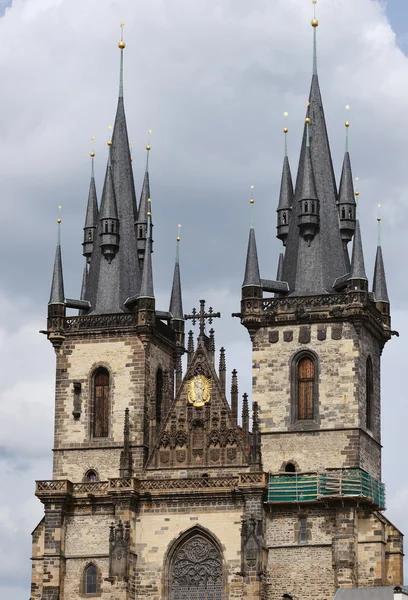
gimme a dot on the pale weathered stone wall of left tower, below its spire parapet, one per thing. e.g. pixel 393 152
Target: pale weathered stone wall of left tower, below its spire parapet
pixel 125 358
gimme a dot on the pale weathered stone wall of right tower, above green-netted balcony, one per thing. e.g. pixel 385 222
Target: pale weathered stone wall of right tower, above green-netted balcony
pixel 333 440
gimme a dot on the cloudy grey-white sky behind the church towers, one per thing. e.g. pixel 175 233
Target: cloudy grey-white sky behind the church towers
pixel 212 79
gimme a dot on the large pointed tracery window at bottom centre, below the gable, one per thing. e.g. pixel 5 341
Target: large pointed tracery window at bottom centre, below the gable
pixel 196 570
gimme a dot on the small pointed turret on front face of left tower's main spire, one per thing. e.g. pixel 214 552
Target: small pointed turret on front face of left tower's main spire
pixel 109 222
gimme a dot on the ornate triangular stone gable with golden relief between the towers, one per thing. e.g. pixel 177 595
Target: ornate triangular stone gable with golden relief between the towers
pixel 199 430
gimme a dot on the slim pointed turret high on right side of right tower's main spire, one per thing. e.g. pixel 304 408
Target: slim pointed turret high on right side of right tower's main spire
pixel 346 202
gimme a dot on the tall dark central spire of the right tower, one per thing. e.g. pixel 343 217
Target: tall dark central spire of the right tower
pixel 312 269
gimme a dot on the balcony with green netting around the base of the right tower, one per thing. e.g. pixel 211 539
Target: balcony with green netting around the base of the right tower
pixel 330 484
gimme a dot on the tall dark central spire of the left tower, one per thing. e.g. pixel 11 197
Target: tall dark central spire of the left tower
pixel 125 278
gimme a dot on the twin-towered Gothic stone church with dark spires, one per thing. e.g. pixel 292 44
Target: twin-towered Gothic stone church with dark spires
pixel 159 489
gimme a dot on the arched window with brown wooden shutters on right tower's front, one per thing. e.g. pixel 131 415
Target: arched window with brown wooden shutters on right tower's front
pixel 305 388
